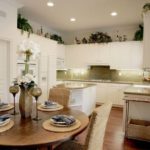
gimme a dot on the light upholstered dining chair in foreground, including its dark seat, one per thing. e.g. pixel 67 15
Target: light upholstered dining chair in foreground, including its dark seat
pixel 96 131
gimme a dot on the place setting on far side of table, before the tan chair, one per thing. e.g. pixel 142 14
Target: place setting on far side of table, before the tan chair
pixel 50 106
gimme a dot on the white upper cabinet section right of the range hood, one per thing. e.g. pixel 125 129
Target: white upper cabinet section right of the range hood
pixel 126 55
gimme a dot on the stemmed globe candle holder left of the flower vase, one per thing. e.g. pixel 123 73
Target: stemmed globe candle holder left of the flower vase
pixel 14 90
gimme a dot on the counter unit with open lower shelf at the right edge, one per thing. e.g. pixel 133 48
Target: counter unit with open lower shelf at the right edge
pixel 137 112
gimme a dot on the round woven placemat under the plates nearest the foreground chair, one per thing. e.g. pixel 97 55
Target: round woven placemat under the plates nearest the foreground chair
pixel 47 126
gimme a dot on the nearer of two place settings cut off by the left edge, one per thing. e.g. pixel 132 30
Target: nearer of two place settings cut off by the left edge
pixel 5 122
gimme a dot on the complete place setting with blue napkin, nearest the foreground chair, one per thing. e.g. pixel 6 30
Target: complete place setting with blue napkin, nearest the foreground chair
pixel 61 123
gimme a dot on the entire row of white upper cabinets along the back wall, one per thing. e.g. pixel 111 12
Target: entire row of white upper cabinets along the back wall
pixel 119 55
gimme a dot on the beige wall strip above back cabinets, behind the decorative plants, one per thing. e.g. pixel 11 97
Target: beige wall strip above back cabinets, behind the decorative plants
pixel 129 30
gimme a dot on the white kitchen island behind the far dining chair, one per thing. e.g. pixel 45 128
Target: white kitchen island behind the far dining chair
pixel 82 95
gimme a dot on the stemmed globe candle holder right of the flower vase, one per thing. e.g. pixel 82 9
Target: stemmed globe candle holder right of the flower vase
pixel 36 92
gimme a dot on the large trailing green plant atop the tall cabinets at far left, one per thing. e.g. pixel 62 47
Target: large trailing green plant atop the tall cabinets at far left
pixel 23 24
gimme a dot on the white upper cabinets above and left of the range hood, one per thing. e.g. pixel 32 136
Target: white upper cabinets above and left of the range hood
pixel 81 56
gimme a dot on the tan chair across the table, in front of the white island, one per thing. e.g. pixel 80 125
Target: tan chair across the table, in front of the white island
pixel 60 95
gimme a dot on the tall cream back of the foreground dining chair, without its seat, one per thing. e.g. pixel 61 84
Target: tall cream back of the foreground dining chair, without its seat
pixel 98 123
